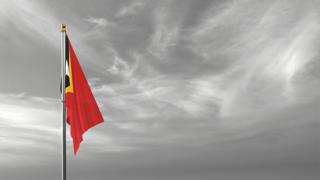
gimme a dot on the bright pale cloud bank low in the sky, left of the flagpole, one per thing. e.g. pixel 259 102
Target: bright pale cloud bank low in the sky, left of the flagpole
pixel 29 124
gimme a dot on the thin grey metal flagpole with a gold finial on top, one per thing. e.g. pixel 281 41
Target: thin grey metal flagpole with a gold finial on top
pixel 63 72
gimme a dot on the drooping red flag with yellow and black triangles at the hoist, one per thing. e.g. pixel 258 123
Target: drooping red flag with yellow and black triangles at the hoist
pixel 82 111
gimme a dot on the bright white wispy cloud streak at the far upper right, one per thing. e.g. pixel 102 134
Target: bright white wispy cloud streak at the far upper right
pixel 294 54
